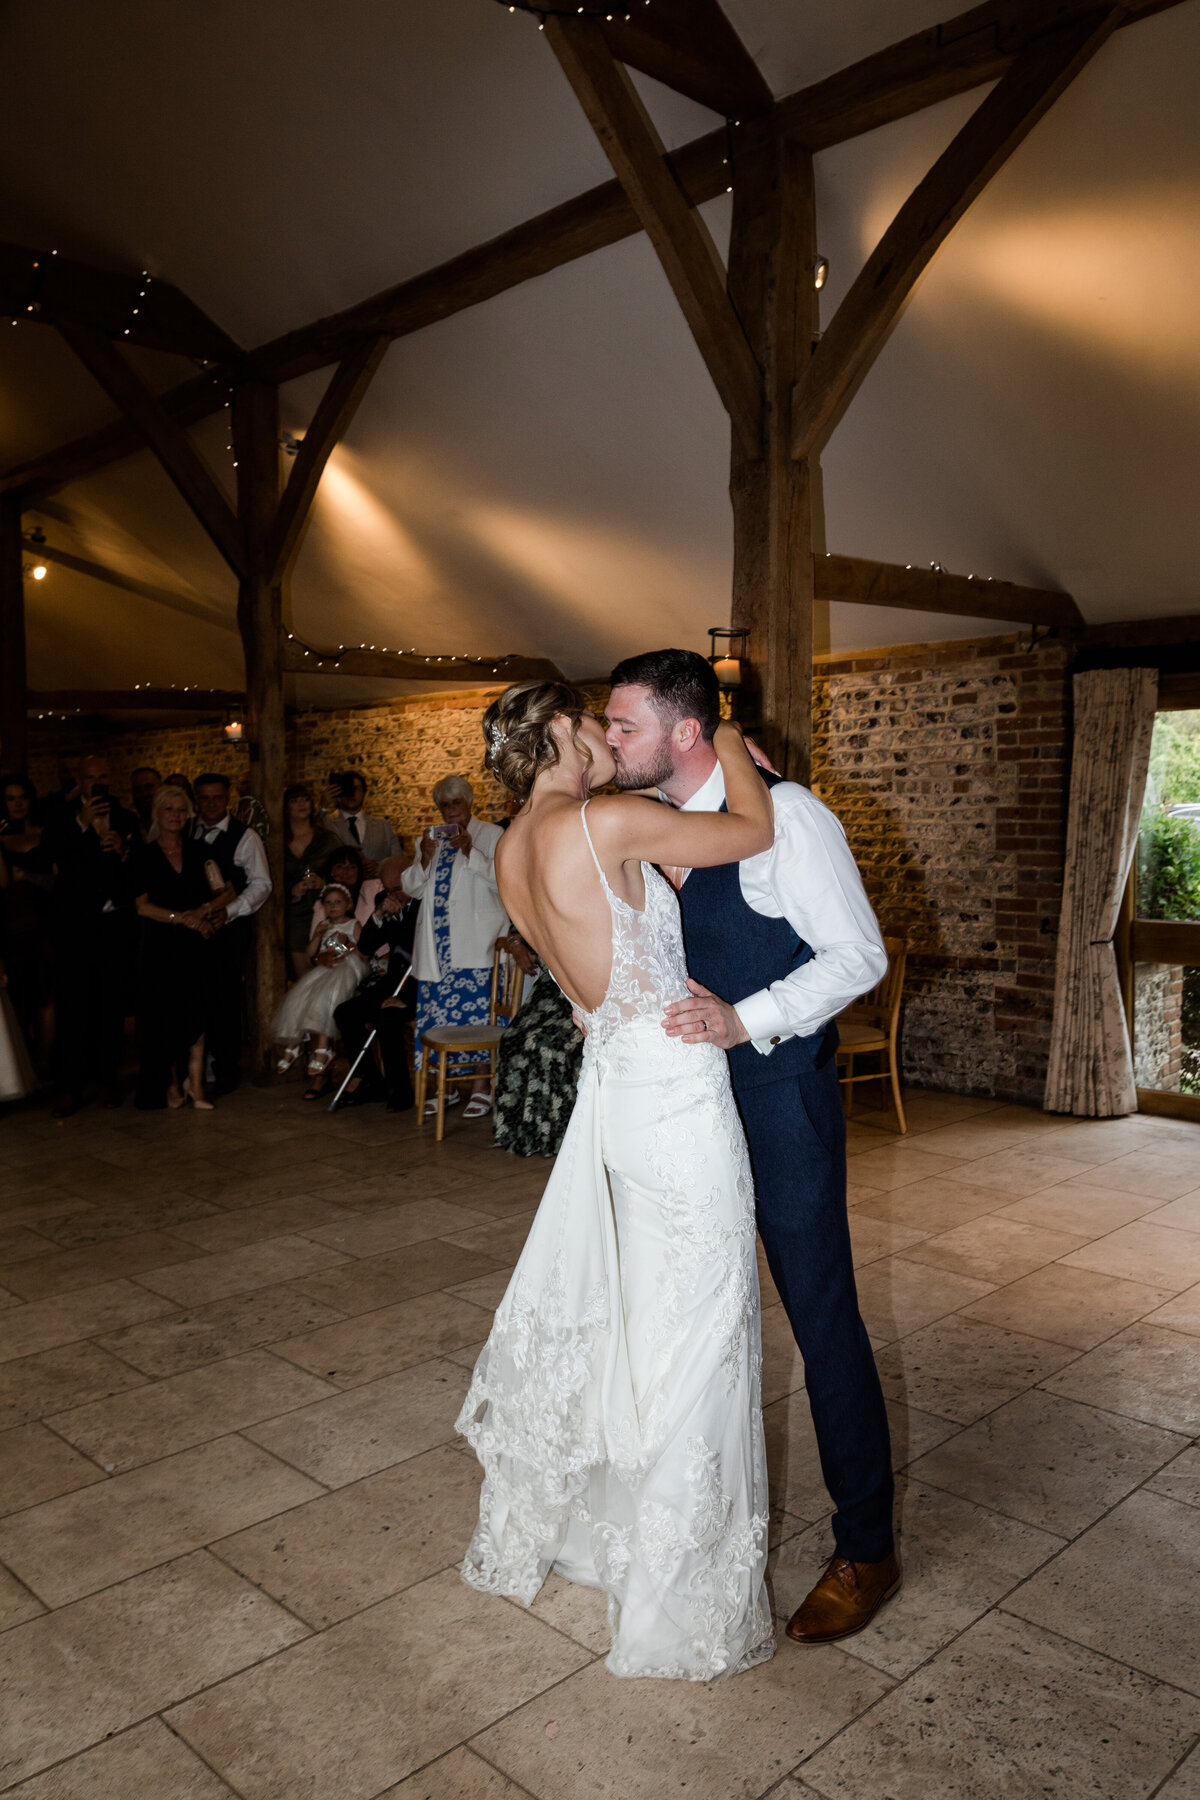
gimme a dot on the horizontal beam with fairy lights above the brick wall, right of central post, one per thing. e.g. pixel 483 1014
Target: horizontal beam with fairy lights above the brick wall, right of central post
pixel 963 597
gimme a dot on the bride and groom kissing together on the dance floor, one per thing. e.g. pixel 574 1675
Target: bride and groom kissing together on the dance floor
pixel 708 946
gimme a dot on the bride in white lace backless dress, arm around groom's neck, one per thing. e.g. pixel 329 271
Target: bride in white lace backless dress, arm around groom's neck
pixel 616 1403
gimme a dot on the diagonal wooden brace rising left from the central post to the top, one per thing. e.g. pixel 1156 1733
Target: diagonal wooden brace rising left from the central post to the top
pixel 681 238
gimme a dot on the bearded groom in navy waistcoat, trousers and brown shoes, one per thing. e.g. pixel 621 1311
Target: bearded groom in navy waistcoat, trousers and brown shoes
pixel 778 946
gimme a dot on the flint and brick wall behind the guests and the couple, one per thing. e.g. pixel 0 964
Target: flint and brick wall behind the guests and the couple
pixel 945 764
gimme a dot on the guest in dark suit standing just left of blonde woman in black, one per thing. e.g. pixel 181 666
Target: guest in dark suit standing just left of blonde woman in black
pixel 93 926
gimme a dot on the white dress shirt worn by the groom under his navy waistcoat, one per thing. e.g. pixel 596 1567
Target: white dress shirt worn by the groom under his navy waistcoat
pixel 810 879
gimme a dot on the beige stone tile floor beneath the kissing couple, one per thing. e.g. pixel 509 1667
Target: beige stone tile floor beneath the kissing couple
pixel 231 1500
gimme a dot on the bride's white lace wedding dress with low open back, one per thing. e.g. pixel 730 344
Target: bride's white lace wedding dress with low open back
pixel 616 1403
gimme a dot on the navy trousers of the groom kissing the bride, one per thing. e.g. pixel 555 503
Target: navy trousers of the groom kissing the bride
pixel 798 1151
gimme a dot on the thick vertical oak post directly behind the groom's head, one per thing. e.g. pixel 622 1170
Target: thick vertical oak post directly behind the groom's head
pixel 776 498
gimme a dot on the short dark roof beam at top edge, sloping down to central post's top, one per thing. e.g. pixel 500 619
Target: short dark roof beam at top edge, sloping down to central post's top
pixel 690 46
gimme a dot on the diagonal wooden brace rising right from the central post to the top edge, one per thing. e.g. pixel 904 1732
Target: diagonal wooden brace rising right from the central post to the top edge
pixel 881 291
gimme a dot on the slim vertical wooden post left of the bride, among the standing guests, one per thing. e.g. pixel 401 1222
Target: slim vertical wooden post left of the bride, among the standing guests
pixel 260 622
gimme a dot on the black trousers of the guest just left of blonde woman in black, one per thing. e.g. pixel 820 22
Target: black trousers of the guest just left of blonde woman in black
pixel 93 984
